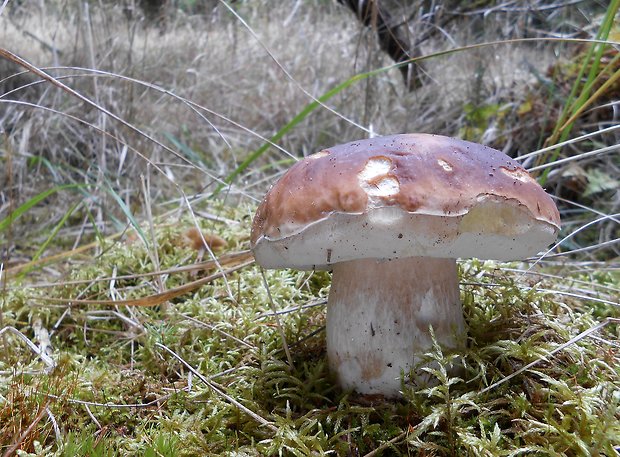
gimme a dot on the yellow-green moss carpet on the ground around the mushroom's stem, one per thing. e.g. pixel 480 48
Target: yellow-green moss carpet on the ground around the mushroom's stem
pixel 115 390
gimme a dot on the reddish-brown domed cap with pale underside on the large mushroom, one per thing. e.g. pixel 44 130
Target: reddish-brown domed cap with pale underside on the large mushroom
pixel 402 196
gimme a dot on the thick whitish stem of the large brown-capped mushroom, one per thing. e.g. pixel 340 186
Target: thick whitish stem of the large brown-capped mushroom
pixel 378 318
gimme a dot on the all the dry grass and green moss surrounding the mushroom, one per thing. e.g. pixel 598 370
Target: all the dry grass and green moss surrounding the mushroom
pixel 134 132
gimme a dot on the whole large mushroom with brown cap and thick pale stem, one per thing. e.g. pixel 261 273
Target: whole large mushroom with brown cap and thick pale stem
pixel 389 216
